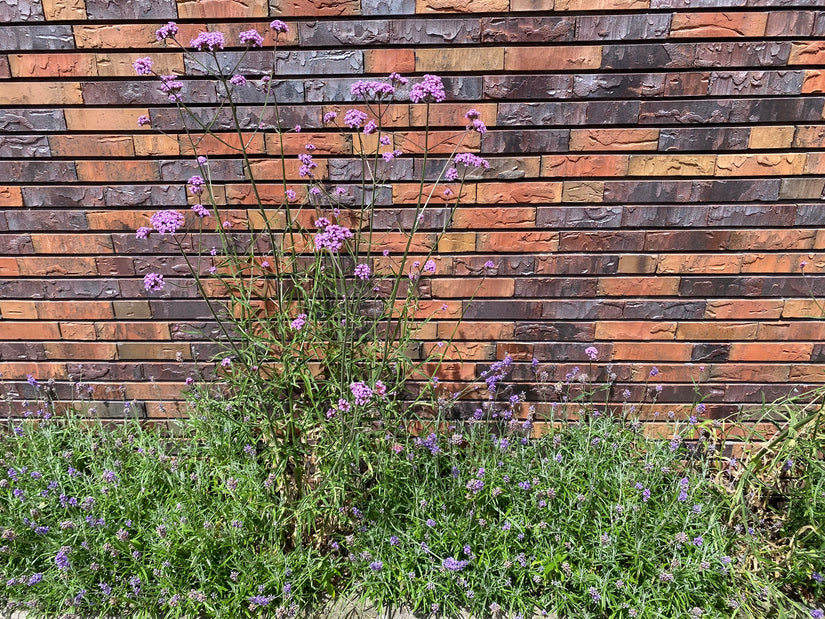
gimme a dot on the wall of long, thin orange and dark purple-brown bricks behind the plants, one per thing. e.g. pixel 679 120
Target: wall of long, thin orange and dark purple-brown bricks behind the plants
pixel 656 181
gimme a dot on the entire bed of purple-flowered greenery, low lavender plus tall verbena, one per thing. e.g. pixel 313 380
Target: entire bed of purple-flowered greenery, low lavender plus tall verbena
pixel 323 461
